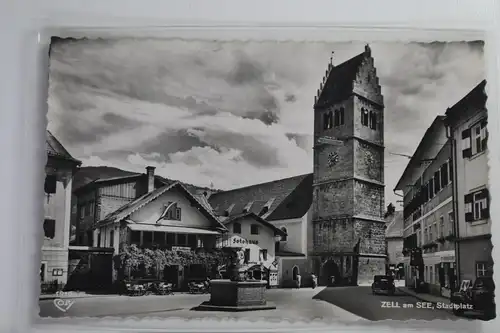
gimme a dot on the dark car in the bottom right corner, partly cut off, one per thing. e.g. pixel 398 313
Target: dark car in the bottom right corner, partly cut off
pixel 480 297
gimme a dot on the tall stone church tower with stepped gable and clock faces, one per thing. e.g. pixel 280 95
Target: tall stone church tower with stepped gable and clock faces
pixel 348 187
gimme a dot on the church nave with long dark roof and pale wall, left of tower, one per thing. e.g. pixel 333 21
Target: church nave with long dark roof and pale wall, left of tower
pixel 286 204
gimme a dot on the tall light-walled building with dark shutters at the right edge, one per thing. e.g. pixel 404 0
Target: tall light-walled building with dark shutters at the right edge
pixel 467 121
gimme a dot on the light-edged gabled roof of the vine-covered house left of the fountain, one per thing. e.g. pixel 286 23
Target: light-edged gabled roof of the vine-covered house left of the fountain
pixel 129 208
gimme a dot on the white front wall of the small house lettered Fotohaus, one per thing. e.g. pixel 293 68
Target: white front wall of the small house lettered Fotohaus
pixel 265 240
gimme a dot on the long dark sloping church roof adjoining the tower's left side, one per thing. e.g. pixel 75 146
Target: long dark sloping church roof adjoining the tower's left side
pixel 285 199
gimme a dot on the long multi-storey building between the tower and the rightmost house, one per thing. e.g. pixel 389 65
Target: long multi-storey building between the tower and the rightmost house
pixel 427 184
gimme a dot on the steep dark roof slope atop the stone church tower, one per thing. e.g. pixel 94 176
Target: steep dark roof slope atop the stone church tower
pixel 338 81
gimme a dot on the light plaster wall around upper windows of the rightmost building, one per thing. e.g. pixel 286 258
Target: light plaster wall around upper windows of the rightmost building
pixel 472 174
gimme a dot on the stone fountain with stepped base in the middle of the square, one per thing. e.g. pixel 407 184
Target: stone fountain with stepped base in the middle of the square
pixel 237 293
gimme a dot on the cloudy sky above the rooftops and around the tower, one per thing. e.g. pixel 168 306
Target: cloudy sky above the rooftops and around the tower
pixel 235 114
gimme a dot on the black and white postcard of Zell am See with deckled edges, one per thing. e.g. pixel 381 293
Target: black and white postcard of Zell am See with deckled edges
pixel 260 179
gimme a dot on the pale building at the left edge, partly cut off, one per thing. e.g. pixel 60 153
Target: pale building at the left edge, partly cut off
pixel 59 171
